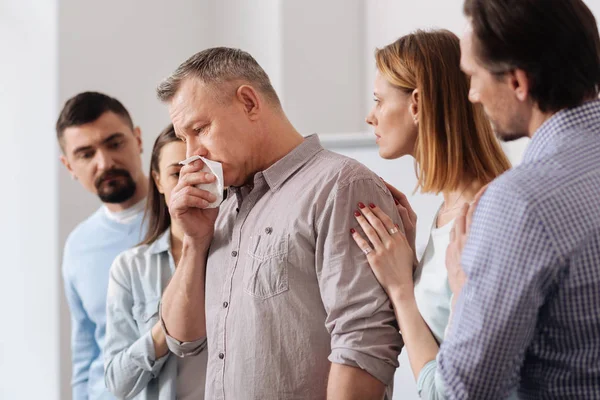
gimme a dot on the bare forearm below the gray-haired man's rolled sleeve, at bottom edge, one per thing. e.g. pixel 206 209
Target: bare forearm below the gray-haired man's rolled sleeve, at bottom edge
pixel 350 383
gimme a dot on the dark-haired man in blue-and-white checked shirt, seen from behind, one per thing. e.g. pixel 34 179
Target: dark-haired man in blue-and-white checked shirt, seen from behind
pixel 527 322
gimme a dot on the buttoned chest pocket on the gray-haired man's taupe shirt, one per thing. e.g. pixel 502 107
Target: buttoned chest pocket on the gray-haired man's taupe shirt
pixel 266 269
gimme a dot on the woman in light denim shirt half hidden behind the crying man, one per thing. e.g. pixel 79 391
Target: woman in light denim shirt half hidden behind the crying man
pixel 138 363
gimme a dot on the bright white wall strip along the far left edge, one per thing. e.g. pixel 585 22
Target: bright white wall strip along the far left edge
pixel 29 337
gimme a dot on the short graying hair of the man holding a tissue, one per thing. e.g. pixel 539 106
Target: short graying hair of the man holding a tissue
pixel 219 65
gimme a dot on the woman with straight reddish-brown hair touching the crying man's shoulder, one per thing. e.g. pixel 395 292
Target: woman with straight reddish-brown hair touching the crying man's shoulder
pixel 422 110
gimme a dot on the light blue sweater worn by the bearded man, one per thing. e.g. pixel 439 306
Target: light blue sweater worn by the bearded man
pixel 89 252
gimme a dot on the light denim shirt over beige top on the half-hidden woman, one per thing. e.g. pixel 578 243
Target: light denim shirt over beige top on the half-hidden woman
pixel 138 278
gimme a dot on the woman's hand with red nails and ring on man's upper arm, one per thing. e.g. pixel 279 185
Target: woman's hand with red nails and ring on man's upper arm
pixel 388 251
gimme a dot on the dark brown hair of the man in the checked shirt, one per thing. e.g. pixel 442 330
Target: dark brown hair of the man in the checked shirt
pixel 555 42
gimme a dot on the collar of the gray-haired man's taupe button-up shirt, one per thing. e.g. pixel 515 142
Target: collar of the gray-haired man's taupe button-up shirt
pixel 279 172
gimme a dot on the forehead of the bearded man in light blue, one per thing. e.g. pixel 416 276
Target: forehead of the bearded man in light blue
pixel 93 133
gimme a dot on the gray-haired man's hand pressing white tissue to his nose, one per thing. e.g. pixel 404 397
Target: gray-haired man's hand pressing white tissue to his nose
pixel 189 204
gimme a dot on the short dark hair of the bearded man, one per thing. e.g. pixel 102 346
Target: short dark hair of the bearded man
pixel 87 107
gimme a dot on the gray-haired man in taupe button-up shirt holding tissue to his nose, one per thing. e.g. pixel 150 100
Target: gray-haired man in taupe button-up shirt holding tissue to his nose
pixel 291 309
